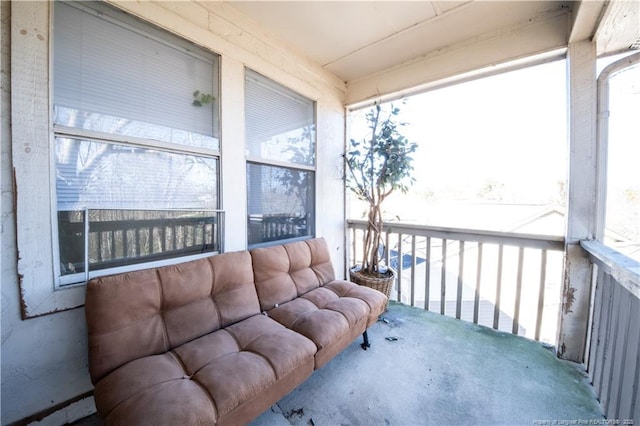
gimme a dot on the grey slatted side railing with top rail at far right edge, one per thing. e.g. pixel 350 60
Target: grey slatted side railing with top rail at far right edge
pixel 613 356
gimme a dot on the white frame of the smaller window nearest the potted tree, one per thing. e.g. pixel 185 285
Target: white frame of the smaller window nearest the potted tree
pixel 269 162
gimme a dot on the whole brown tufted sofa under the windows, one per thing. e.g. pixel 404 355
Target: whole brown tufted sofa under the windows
pixel 219 340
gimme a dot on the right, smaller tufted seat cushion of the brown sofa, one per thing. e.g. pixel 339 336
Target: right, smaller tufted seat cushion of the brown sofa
pixel 329 320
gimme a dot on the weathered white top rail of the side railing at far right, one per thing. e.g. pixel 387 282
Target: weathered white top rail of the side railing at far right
pixel 623 269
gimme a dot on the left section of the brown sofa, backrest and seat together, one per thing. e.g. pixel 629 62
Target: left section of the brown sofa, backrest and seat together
pixel 183 343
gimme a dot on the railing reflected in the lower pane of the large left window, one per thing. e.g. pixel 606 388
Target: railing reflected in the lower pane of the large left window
pixel 115 238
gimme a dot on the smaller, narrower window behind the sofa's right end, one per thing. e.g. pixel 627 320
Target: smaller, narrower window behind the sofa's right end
pixel 280 141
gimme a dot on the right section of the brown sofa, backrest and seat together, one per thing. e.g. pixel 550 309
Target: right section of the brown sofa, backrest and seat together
pixel 296 285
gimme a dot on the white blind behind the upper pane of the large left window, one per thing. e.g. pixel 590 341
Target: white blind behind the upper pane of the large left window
pixel 110 77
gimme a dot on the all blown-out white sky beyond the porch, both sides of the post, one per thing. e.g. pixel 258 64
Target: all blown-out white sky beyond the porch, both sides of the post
pixel 509 131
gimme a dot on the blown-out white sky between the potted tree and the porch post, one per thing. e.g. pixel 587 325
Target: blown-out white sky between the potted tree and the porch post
pixel 507 128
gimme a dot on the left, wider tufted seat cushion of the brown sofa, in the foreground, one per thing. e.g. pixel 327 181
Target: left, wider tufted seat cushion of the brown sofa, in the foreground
pixel 206 378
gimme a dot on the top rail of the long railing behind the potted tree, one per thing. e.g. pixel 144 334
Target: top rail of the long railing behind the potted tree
pixel 549 242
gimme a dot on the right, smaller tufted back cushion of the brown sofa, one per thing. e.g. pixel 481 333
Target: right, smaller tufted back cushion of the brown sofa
pixel 287 271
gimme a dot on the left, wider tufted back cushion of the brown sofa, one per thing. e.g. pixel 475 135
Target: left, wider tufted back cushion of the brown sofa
pixel 151 311
